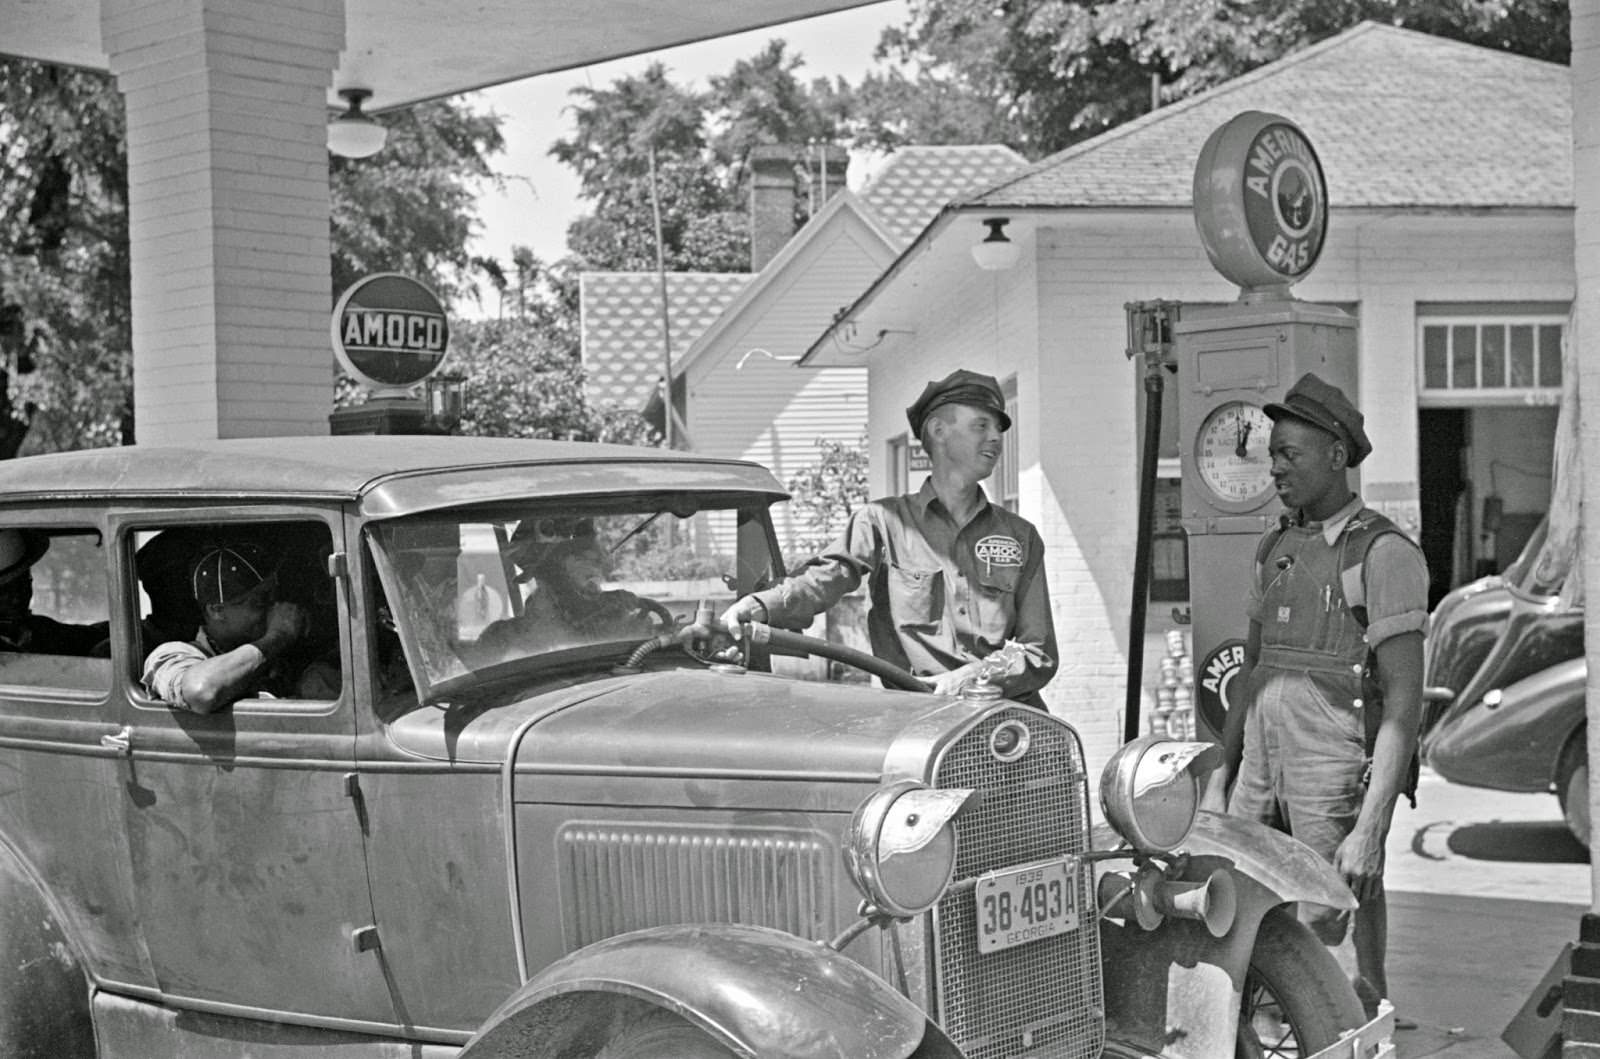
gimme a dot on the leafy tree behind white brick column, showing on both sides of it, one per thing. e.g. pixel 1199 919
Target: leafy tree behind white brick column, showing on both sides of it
pixel 66 353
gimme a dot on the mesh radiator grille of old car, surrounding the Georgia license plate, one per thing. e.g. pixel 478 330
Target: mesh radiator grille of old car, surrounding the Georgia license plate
pixel 1041 999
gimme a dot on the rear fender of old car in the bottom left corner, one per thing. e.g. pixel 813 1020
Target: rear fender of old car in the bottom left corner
pixel 44 985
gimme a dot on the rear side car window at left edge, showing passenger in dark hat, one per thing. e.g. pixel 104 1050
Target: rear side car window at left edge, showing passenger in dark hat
pixel 55 629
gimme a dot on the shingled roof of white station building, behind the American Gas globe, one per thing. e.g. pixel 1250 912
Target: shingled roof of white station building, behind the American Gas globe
pixel 1399 119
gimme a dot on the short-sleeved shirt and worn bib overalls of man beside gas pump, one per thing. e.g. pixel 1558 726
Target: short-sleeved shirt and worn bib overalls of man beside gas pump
pixel 1306 737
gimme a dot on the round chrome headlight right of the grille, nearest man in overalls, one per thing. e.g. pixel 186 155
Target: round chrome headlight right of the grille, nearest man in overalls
pixel 1151 789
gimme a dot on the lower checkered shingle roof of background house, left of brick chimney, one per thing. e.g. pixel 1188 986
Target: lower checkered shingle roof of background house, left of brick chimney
pixel 622 326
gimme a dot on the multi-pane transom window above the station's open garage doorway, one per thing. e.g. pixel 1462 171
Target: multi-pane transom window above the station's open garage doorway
pixel 1487 361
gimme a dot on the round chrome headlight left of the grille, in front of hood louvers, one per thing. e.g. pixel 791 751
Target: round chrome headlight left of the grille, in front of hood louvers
pixel 902 845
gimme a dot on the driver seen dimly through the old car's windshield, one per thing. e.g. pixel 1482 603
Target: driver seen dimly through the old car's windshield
pixel 569 602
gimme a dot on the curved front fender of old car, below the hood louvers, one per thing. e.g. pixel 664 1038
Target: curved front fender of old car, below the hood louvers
pixel 753 989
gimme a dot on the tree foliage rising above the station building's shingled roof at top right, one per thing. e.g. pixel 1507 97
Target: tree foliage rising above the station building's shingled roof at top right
pixel 1046 74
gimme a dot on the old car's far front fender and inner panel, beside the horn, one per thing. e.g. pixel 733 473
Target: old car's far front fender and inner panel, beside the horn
pixel 1204 977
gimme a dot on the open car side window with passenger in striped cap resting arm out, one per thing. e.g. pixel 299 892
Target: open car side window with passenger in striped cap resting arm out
pixel 209 589
